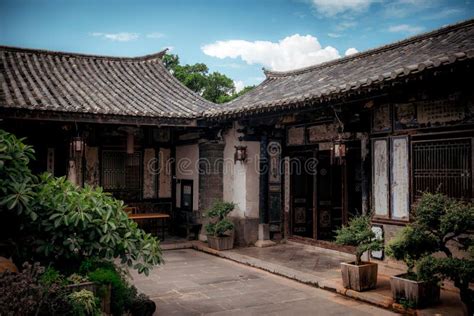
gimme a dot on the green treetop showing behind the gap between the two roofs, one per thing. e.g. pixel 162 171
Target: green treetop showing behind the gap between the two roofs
pixel 215 87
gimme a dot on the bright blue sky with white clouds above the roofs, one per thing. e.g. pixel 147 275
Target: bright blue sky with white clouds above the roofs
pixel 236 38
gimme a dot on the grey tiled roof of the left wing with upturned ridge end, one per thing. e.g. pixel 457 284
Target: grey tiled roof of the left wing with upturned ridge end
pixel 77 83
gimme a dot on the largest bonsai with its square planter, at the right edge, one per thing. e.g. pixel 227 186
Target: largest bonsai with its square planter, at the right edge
pixel 439 224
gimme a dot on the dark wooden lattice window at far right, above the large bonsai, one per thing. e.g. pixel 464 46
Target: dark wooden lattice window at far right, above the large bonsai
pixel 444 165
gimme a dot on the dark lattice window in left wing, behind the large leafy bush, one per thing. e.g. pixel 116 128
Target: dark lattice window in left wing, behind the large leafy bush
pixel 121 173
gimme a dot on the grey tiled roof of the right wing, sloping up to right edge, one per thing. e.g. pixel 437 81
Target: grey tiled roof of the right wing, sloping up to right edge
pixel 385 64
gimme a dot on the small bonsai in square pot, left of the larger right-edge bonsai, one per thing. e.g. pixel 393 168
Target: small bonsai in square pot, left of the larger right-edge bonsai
pixel 359 275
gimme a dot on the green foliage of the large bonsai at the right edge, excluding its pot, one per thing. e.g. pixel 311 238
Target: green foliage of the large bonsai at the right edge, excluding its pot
pixel 441 224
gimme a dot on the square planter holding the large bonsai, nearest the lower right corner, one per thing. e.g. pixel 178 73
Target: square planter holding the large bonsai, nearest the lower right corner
pixel 415 293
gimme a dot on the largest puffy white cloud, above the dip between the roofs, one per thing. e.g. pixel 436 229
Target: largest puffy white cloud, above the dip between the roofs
pixel 292 52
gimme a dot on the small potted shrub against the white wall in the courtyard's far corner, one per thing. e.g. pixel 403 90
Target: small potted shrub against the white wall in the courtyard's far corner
pixel 220 229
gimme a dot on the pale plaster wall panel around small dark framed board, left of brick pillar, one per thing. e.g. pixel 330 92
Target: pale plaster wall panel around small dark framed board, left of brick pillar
pixel 187 157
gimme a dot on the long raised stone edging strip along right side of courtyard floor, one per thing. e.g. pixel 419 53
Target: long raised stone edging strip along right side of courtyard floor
pixel 373 297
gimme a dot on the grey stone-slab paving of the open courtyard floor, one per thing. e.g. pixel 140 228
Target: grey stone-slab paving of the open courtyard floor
pixel 195 283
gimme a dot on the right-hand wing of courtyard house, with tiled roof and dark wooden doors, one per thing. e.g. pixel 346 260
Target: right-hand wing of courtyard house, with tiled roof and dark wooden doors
pixel 364 133
